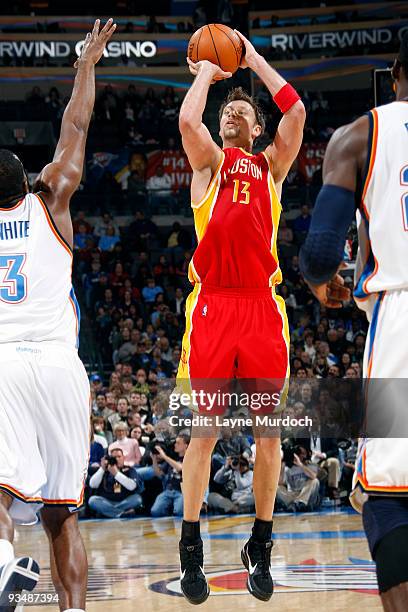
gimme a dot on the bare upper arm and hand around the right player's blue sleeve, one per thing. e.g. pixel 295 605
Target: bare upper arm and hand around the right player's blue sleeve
pixel 344 162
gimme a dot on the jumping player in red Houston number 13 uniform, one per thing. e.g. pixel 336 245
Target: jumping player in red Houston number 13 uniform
pixel 235 323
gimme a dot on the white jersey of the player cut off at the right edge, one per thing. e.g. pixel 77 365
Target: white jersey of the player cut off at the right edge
pixel 383 215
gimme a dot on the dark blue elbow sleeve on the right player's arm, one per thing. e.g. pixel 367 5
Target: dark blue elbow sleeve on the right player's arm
pixel 323 250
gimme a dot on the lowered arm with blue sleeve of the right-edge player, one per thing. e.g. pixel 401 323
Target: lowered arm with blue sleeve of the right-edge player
pixel 334 210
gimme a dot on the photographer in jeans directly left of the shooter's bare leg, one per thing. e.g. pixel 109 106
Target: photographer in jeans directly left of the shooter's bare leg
pixel 170 501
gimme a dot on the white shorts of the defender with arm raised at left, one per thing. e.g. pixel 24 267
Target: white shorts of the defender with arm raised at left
pixel 44 426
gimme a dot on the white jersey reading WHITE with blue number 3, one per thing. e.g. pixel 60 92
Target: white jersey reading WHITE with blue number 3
pixel 37 300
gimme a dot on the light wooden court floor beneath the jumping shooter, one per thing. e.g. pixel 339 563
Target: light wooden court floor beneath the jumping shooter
pixel 320 562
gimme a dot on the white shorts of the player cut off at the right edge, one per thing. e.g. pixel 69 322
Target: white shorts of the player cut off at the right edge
pixel 381 465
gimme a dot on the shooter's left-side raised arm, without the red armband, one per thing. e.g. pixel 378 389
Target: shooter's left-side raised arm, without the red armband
pixel 202 152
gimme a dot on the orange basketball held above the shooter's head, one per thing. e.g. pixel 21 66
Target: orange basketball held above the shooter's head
pixel 218 44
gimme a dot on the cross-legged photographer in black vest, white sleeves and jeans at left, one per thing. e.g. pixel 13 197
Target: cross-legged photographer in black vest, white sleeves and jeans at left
pixel 118 487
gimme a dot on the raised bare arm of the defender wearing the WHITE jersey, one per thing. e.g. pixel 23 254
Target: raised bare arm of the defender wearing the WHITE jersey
pixel 60 179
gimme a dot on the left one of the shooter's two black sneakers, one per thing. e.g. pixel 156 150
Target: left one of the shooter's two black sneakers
pixel 192 579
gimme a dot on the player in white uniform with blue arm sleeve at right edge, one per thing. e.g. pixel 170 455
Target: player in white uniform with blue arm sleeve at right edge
pixel 375 176
